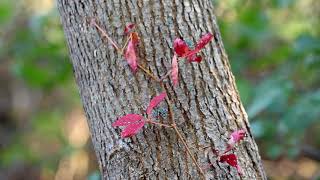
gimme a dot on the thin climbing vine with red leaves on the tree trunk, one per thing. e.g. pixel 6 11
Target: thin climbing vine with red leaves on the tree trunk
pixel 133 123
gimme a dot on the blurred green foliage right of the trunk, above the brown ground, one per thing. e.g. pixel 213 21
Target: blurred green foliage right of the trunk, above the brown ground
pixel 274 48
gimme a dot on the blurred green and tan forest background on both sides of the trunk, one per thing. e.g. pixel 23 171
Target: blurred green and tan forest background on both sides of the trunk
pixel 274 49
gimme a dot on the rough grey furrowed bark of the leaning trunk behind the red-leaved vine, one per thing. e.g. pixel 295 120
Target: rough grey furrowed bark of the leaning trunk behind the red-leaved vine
pixel 206 103
